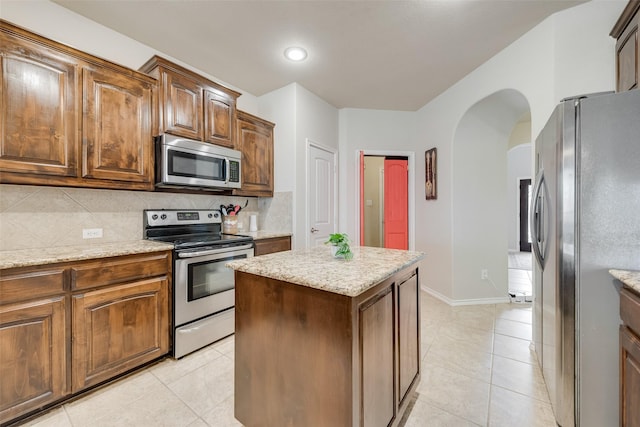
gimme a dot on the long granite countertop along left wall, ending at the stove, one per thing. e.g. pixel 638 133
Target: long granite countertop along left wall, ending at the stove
pixel 40 256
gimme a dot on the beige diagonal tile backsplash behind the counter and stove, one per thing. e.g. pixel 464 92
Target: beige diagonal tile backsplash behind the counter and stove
pixel 39 217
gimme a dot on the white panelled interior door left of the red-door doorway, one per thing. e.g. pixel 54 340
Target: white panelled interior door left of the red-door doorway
pixel 321 194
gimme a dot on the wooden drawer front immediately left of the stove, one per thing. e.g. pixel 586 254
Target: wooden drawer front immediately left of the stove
pixel 118 270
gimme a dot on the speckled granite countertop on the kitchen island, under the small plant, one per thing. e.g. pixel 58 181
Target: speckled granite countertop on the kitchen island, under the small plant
pixel 317 268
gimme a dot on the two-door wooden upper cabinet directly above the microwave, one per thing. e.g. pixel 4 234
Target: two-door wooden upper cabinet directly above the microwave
pixel 192 106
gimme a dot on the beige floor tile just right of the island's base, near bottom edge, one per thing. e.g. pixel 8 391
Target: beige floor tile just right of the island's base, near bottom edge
pixel 455 393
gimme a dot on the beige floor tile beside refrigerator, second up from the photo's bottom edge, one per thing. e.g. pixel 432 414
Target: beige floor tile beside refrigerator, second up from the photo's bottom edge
pixel 520 377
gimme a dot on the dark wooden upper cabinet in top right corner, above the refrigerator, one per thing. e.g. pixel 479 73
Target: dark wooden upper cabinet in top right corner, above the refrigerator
pixel 626 33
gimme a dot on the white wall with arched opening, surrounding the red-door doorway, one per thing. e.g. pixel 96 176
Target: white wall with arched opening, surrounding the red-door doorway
pixel 569 53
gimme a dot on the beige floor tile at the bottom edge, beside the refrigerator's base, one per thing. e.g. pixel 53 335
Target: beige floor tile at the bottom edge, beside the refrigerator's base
pixel 513 409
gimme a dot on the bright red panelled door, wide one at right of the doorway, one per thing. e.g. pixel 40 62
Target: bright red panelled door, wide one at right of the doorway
pixel 396 204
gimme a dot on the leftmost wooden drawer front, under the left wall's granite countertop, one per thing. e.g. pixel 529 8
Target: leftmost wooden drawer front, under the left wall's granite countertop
pixel 22 284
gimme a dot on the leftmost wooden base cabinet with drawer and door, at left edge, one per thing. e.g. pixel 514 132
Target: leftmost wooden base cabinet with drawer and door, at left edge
pixel 33 340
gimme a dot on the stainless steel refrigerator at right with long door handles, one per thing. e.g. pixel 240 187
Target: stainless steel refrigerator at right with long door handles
pixel 585 220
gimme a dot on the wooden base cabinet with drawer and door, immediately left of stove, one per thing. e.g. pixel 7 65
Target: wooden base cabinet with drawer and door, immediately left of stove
pixel 120 315
